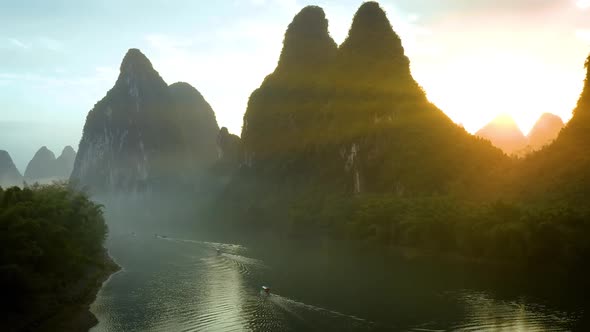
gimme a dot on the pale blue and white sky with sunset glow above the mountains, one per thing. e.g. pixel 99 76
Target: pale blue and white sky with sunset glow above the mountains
pixel 476 59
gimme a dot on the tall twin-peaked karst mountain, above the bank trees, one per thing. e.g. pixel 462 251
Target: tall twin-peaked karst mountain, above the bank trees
pixel 352 119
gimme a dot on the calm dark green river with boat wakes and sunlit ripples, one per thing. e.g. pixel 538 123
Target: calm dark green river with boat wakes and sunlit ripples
pixel 180 282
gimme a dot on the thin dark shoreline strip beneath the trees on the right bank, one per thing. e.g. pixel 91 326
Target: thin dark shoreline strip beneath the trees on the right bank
pixel 322 239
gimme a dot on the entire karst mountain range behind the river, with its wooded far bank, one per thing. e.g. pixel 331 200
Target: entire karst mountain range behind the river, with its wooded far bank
pixel 340 141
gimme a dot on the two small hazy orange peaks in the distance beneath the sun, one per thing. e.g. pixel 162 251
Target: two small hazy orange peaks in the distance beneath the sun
pixel 505 134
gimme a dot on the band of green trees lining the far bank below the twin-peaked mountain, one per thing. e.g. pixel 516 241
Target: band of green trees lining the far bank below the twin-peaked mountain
pixel 497 231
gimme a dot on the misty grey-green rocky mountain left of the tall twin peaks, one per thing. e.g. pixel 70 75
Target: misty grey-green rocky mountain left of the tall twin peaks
pixel 144 135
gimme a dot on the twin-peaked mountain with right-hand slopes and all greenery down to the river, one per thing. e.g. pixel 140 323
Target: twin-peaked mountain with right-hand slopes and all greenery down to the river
pixel 353 148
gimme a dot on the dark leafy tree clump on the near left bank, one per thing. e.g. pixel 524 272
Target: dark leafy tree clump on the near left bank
pixel 52 240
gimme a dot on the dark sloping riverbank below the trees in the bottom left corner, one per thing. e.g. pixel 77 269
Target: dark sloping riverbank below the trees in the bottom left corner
pixel 71 312
